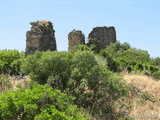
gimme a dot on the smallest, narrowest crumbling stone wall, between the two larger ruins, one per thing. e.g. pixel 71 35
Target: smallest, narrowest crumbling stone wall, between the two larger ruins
pixel 75 37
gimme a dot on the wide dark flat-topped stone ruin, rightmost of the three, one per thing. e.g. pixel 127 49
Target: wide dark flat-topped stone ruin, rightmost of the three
pixel 102 36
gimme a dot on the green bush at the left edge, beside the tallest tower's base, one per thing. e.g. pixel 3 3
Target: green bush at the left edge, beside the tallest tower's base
pixel 10 61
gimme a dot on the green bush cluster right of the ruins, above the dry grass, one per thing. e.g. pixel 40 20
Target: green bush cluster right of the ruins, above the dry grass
pixel 121 57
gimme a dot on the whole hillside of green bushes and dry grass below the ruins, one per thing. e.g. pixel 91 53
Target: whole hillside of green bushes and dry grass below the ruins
pixel 80 84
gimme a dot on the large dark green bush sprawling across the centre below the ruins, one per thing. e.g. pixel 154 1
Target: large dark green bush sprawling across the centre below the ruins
pixel 80 74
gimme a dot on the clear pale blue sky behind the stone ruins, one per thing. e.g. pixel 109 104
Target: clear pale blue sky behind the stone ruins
pixel 136 21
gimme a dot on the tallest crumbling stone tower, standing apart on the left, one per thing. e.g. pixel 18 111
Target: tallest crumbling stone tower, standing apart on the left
pixel 41 37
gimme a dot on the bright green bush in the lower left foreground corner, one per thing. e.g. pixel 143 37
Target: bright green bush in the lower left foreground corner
pixel 39 102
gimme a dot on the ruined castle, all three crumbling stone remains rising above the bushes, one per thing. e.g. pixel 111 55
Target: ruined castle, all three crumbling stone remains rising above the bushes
pixel 41 37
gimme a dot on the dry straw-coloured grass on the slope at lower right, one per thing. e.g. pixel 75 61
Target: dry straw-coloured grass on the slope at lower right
pixel 143 106
